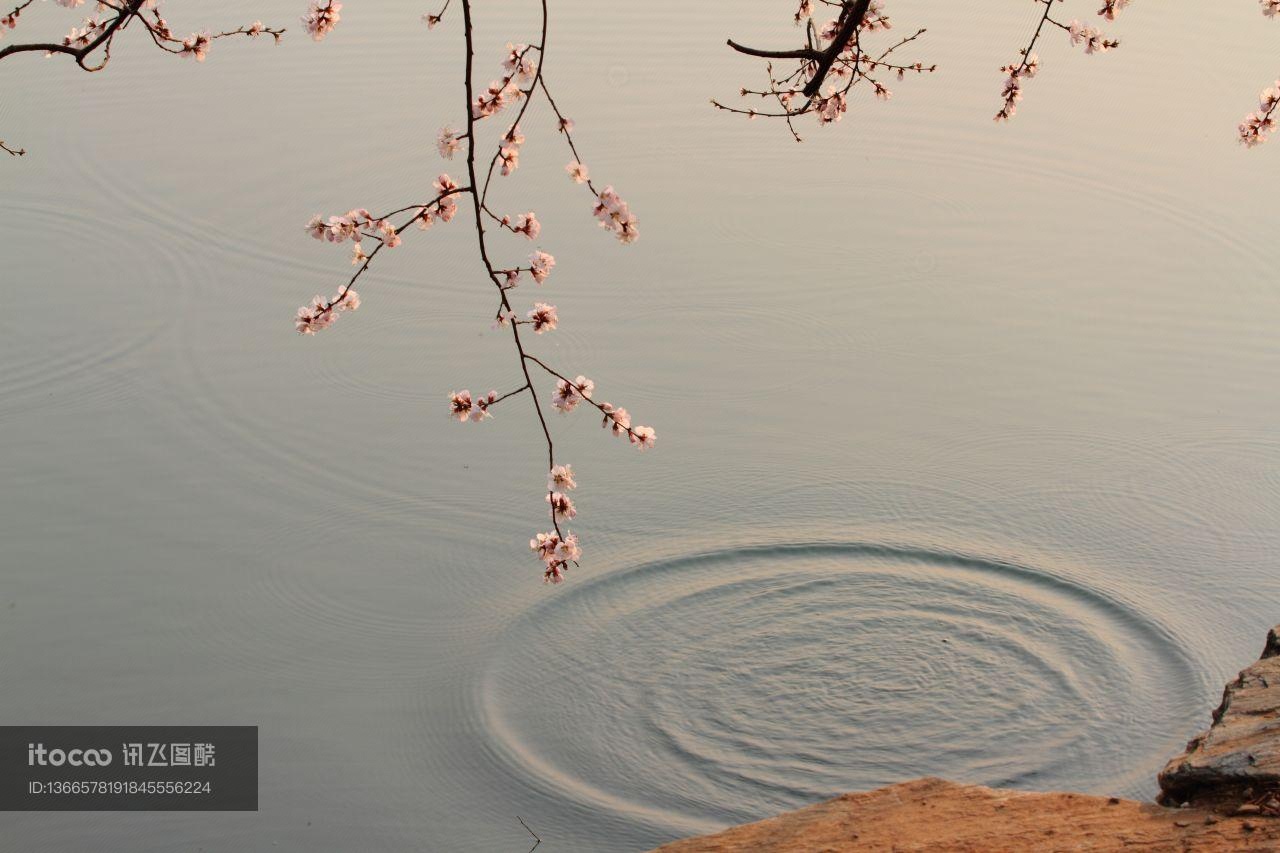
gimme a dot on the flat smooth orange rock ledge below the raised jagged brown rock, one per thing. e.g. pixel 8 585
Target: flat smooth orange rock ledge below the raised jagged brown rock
pixel 936 816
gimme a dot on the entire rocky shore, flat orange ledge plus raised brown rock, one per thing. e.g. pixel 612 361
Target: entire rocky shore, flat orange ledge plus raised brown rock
pixel 1222 793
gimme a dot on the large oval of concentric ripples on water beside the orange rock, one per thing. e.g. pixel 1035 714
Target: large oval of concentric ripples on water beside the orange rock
pixel 729 686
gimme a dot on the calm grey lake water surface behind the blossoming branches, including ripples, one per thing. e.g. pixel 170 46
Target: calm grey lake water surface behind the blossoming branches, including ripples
pixel 968 458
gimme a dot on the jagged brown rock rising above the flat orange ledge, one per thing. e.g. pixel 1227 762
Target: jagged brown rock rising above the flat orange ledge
pixel 1242 747
